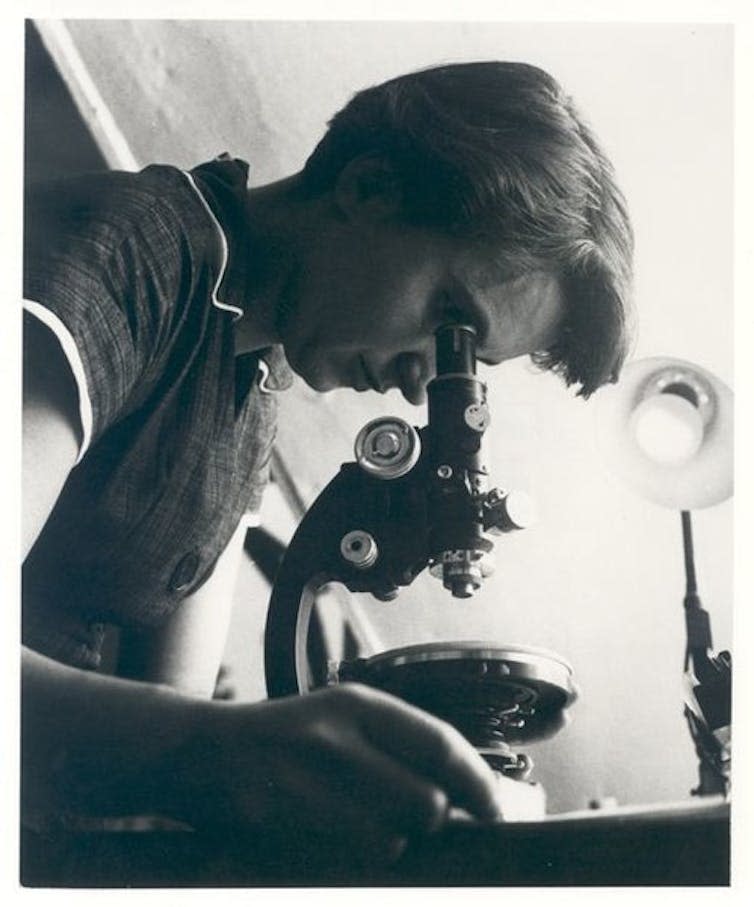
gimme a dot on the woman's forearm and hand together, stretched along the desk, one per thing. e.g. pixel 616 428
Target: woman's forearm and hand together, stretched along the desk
pixel 348 763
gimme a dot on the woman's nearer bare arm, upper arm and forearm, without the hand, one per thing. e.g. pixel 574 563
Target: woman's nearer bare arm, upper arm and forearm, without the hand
pixel 82 734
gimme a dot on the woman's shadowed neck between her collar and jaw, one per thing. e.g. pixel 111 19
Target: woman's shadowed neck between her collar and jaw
pixel 274 211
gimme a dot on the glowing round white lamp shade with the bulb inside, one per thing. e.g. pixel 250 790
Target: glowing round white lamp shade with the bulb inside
pixel 666 429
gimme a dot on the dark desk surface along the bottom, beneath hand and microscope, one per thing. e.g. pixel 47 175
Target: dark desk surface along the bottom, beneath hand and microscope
pixel 683 844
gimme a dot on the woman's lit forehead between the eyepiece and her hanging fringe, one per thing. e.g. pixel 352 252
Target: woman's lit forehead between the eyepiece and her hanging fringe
pixel 520 315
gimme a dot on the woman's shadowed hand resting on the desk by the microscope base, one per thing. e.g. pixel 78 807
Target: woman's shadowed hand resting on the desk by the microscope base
pixel 349 763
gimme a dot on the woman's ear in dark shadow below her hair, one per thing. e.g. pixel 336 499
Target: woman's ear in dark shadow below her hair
pixel 368 190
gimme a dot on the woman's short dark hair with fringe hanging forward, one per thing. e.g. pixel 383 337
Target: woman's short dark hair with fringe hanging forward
pixel 497 151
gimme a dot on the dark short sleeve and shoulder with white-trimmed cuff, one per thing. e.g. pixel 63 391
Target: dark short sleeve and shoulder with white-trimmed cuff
pixel 117 265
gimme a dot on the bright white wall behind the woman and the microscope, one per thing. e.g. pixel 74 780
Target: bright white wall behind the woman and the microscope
pixel 600 579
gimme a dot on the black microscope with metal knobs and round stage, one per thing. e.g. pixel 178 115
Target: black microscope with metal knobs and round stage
pixel 417 499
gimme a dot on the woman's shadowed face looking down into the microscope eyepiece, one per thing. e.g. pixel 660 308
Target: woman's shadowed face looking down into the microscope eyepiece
pixel 369 298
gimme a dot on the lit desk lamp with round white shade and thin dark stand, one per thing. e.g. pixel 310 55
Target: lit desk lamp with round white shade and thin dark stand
pixel 666 429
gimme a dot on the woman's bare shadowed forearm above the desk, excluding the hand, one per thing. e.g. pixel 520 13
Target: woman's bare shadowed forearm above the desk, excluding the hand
pixel 93 745
